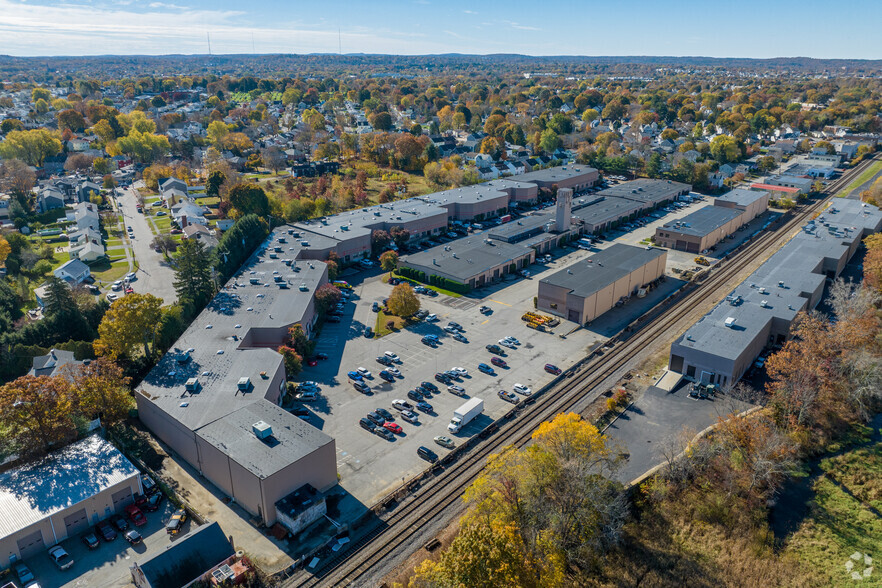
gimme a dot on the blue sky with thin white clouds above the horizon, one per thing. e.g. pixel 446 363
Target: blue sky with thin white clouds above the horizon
pixel 771 28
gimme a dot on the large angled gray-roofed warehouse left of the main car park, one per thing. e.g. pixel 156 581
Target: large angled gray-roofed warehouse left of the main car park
pixel 215 393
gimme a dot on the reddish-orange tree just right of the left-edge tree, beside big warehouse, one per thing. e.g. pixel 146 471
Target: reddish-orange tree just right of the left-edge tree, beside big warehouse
pixel 101 390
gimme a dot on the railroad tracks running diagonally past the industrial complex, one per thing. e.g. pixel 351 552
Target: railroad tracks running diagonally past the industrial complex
pixel 432 498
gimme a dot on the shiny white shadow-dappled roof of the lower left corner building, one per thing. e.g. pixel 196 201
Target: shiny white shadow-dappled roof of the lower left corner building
pixel 60 480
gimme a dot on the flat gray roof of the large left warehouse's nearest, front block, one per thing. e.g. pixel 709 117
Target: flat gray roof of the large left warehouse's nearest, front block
pixel 291 440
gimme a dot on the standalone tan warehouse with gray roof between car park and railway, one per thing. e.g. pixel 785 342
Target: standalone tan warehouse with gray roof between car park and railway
pixel 591 287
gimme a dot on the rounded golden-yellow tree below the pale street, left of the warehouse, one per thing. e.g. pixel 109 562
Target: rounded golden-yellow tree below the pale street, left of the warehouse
pixel 129 322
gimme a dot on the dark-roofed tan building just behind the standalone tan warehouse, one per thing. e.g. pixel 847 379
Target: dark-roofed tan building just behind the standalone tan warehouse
pixel 700 230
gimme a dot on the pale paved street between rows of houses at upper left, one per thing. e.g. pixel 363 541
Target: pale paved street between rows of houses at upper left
pixel 155 275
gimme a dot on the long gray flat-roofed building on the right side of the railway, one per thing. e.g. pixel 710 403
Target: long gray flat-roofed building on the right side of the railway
pixel 722 346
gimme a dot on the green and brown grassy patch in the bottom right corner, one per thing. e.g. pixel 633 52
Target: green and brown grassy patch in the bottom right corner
pixel 844 519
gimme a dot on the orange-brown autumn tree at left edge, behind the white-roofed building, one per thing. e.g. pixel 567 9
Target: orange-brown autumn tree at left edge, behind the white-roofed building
pixel 37 412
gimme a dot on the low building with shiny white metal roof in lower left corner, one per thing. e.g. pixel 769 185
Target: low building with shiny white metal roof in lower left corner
pixel 62 495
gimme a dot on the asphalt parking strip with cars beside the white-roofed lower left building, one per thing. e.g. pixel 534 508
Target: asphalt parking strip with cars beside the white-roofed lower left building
pixel 108 564
